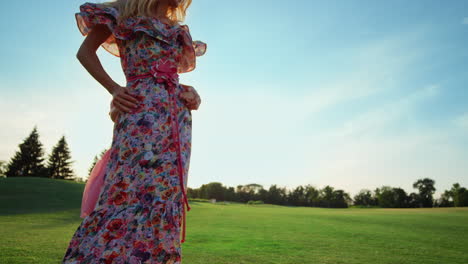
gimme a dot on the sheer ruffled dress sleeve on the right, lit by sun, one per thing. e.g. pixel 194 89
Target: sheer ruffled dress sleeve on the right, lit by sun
pixel 190 50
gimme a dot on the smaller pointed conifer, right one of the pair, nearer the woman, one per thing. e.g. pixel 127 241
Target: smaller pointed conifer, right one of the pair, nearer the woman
pixel 59 163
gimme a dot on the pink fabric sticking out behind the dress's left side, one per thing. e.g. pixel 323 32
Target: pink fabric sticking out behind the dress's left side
pixel 94 185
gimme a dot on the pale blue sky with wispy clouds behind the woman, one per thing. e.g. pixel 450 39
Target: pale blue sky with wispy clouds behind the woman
pixel 353 94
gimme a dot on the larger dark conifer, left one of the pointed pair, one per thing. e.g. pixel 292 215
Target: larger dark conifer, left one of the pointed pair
pixel 28 161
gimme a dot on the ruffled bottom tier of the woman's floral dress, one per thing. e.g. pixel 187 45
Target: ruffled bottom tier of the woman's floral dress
pixel 144 227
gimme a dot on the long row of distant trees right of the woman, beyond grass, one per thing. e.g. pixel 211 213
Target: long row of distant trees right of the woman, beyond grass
pixel 329 197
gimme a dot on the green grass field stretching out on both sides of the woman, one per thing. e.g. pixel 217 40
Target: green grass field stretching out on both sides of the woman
pixel 39 216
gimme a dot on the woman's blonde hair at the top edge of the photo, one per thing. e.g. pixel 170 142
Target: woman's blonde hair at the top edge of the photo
pixel 128 8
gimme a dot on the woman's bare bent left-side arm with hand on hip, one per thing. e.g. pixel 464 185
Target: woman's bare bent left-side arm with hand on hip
pixel 87 56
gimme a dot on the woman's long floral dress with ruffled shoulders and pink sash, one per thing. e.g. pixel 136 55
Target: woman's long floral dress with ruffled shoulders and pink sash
pixel 140 213
